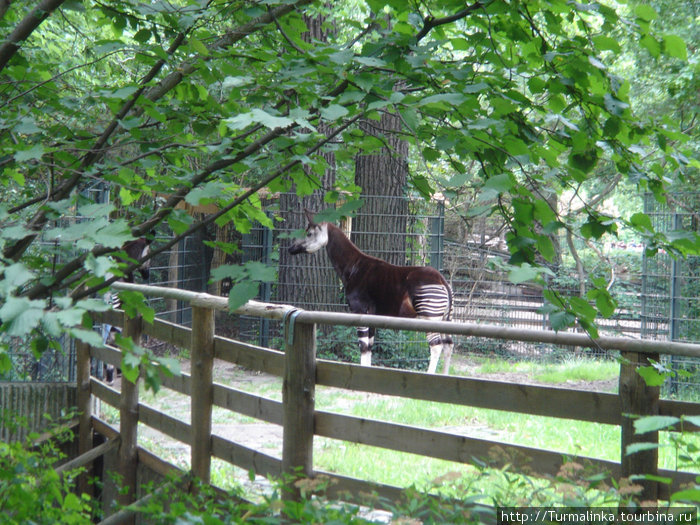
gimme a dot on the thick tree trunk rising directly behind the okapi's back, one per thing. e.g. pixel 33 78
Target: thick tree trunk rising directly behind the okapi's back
pixel 380 228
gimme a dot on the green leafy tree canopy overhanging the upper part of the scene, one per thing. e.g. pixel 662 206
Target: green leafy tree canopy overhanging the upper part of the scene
pixel 209 104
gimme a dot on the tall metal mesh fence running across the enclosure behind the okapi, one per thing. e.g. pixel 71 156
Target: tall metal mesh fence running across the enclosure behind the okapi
pixel 659 297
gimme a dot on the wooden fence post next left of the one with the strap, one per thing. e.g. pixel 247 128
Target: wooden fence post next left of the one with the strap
pixel 202 390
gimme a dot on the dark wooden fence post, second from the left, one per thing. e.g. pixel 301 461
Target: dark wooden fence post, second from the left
pixel 129 421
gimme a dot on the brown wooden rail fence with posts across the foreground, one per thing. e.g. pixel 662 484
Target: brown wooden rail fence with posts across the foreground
pixel 302 422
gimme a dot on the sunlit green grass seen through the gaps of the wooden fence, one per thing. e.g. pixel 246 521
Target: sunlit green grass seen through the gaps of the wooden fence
pixel 385 466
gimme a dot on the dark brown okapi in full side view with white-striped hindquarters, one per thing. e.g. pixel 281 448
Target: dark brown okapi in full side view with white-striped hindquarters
pixel 374 286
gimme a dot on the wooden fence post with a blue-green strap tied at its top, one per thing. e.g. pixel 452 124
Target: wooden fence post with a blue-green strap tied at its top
pixel 298 398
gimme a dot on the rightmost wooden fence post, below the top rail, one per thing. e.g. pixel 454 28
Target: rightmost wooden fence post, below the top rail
pixel 638 399
